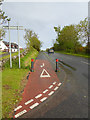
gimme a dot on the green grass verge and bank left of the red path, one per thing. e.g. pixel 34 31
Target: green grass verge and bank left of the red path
pixel 13 83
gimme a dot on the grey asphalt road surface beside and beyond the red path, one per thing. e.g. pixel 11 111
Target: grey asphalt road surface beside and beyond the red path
pixel 71 99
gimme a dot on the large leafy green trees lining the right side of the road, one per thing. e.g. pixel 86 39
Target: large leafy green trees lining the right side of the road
pixel 71 38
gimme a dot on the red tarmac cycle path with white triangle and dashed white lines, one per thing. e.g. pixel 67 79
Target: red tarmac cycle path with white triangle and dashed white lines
pixel 38 89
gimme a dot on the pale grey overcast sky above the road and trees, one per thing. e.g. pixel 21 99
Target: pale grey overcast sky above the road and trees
pixel 42 17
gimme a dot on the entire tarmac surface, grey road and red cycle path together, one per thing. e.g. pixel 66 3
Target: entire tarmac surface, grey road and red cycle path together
pixel 69 100
